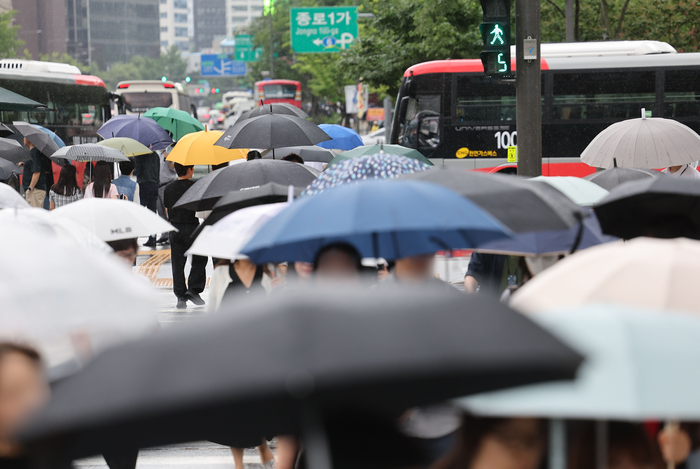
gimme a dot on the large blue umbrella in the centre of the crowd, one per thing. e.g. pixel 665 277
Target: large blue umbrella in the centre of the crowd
pixel 389 219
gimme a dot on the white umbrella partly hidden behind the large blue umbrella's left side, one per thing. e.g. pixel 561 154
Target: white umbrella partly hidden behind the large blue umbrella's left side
pixel 225 238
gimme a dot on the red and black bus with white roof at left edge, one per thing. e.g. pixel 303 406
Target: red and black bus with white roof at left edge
pixel 78 104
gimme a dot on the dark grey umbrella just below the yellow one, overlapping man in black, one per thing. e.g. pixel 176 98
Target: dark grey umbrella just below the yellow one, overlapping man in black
pixel 241 177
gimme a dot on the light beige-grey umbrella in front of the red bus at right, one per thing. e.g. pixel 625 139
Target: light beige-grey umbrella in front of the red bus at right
pixel 650 143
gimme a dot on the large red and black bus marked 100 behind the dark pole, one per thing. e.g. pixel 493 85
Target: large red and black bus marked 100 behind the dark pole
pixel 456 116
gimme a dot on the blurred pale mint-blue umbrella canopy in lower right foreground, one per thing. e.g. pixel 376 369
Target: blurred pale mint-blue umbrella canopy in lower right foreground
pixel 640 365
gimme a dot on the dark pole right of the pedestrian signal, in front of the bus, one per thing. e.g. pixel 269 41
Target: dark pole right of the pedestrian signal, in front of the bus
pixel 528 88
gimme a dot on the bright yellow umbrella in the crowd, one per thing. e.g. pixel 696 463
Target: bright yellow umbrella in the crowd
pixel 198 148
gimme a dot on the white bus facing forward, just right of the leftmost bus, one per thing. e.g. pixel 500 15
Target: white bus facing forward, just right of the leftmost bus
pixel 138 96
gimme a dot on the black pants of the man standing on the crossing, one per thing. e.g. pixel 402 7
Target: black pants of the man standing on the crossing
pixel 180 242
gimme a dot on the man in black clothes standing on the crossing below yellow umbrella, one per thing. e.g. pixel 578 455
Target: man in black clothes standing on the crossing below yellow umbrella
pixel 186 222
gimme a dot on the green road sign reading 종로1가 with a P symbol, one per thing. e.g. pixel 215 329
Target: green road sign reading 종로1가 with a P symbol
pixel 323 29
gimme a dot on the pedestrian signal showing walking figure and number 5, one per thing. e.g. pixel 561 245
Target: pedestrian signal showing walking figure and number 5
pixel 495 32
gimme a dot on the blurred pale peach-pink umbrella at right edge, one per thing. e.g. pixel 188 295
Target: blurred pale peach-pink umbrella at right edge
pixel 643 273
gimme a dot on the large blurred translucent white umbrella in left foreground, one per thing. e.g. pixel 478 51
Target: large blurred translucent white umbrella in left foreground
pixel 68 302
